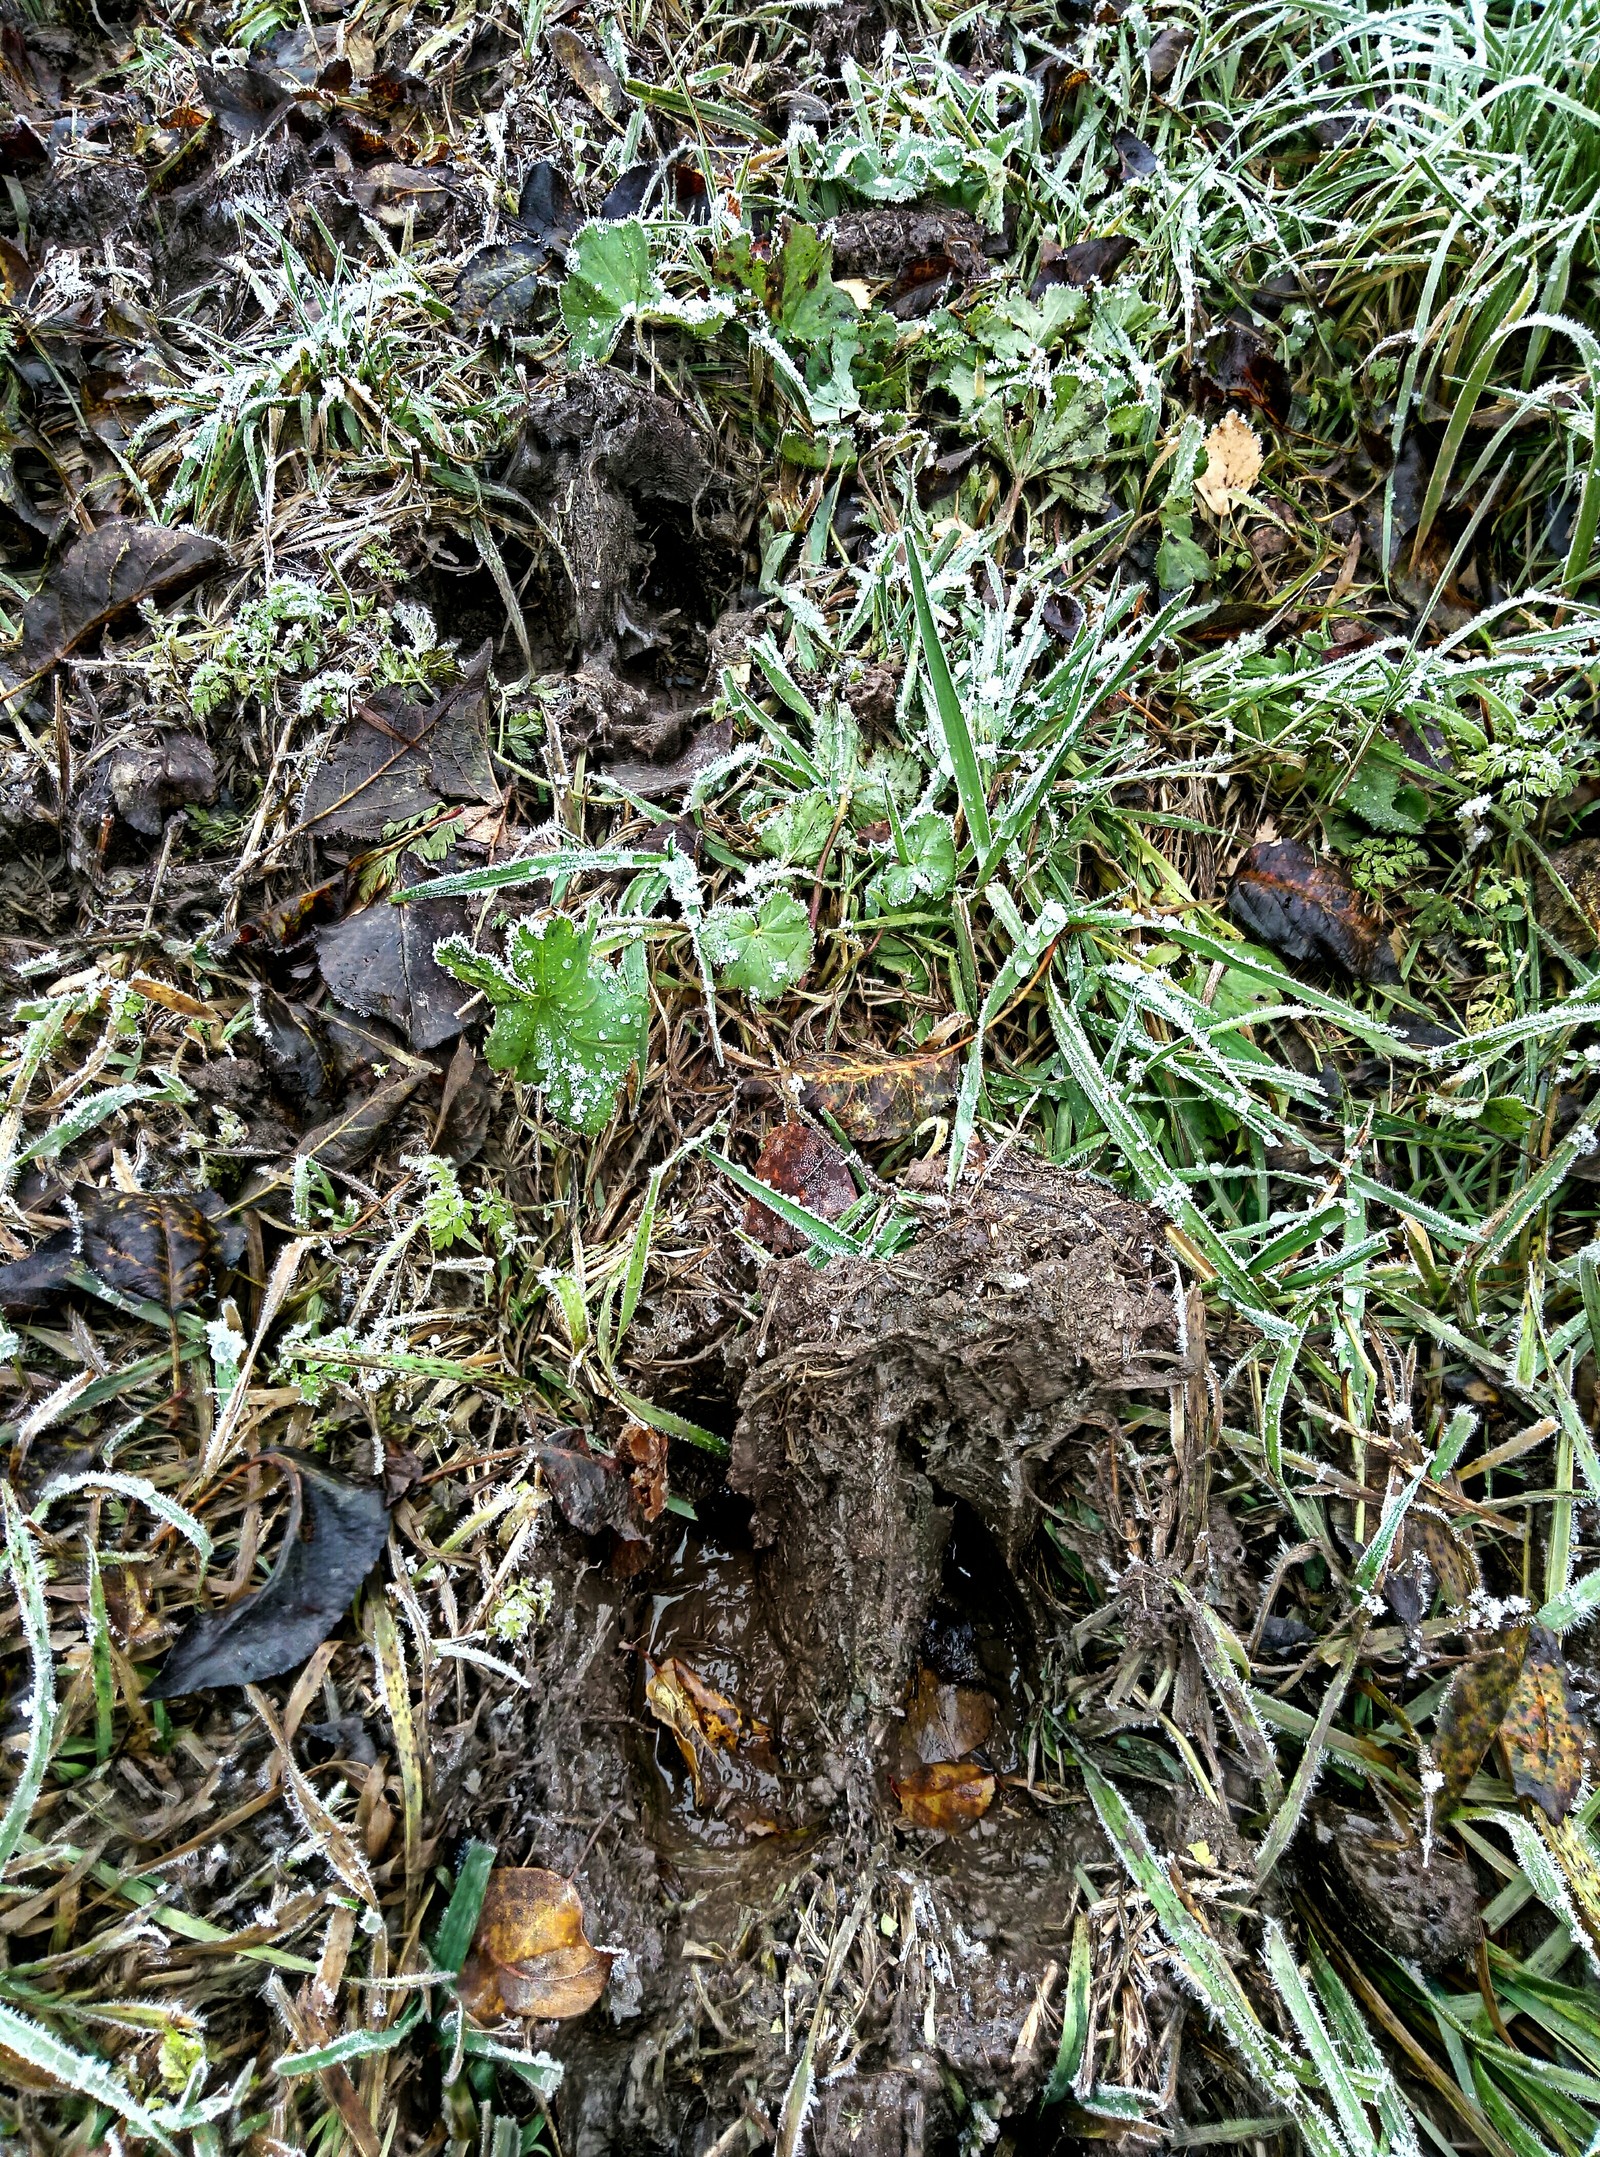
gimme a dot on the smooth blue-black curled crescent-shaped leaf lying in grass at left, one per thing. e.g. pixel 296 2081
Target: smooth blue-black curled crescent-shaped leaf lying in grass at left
pixel 335 1537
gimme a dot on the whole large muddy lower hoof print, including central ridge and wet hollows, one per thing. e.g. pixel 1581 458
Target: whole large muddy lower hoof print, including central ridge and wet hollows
pixel 859 1595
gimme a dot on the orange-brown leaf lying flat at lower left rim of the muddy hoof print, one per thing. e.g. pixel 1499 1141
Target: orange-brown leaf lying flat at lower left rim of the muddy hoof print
pixel 532 1953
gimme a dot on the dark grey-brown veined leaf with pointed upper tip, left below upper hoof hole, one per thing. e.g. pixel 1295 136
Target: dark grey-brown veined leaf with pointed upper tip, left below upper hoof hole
pixel 400 760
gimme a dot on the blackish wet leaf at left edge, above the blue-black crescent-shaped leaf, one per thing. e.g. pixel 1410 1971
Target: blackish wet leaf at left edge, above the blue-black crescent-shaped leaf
pixel 154 1250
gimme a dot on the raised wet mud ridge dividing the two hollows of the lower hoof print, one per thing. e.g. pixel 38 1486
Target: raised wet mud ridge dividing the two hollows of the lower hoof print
pixel 969 1369
